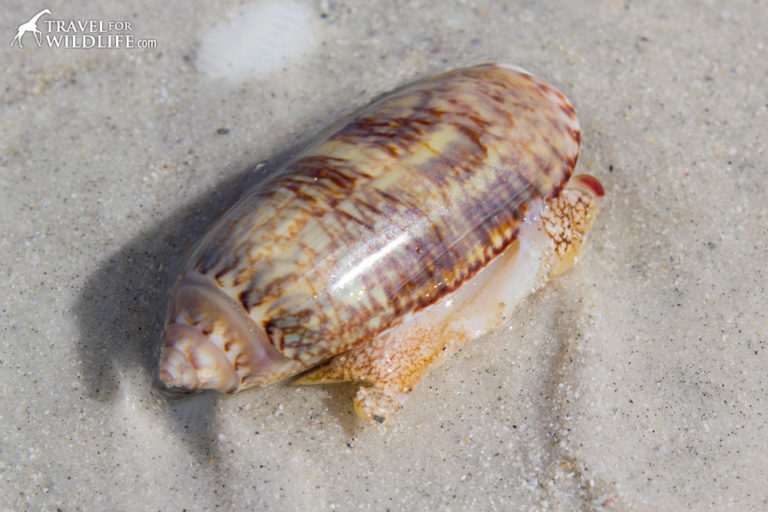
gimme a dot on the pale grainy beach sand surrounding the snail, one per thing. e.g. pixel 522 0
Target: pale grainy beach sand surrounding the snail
pixel 636 381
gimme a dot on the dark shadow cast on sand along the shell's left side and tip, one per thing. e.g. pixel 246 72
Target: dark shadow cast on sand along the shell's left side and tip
pixel 120 310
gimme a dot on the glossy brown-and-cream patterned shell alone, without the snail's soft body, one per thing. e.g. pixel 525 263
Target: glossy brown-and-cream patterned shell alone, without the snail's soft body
pixel 409 199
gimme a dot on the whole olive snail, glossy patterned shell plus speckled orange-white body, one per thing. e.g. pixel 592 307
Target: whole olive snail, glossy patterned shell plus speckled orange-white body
pixel 413 228
